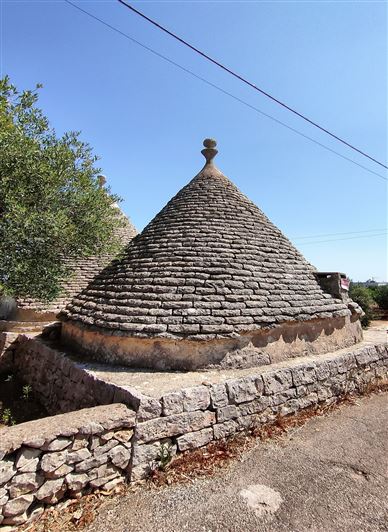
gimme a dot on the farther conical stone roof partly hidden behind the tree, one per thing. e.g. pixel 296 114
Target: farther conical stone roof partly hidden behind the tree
pixel 82 272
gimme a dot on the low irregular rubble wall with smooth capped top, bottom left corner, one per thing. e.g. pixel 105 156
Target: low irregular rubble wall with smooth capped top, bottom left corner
pixel 43 461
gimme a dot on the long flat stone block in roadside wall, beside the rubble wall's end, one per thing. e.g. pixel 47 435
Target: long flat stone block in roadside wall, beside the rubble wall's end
pixel 173 425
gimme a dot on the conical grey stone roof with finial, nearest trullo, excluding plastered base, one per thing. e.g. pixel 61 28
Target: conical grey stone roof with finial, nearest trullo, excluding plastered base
pixel 209 265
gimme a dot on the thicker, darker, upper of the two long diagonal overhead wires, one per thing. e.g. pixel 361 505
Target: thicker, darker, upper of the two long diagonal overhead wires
pixel 249 83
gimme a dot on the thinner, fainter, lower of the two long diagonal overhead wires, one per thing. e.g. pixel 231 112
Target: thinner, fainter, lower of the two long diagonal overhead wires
pixel 200 78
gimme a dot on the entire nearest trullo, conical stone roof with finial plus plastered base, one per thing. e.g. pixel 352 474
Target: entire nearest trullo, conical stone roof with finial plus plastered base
pixel 210 281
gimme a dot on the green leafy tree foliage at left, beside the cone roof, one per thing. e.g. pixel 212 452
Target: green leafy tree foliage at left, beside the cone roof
pixel 51 204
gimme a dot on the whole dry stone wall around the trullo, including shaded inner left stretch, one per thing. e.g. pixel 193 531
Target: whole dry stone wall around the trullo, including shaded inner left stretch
pixel 46 460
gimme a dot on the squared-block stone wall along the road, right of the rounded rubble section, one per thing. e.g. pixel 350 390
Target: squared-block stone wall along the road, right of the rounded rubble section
pixel 196 416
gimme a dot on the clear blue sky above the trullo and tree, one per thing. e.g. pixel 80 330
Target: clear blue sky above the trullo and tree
pixel 146 119
